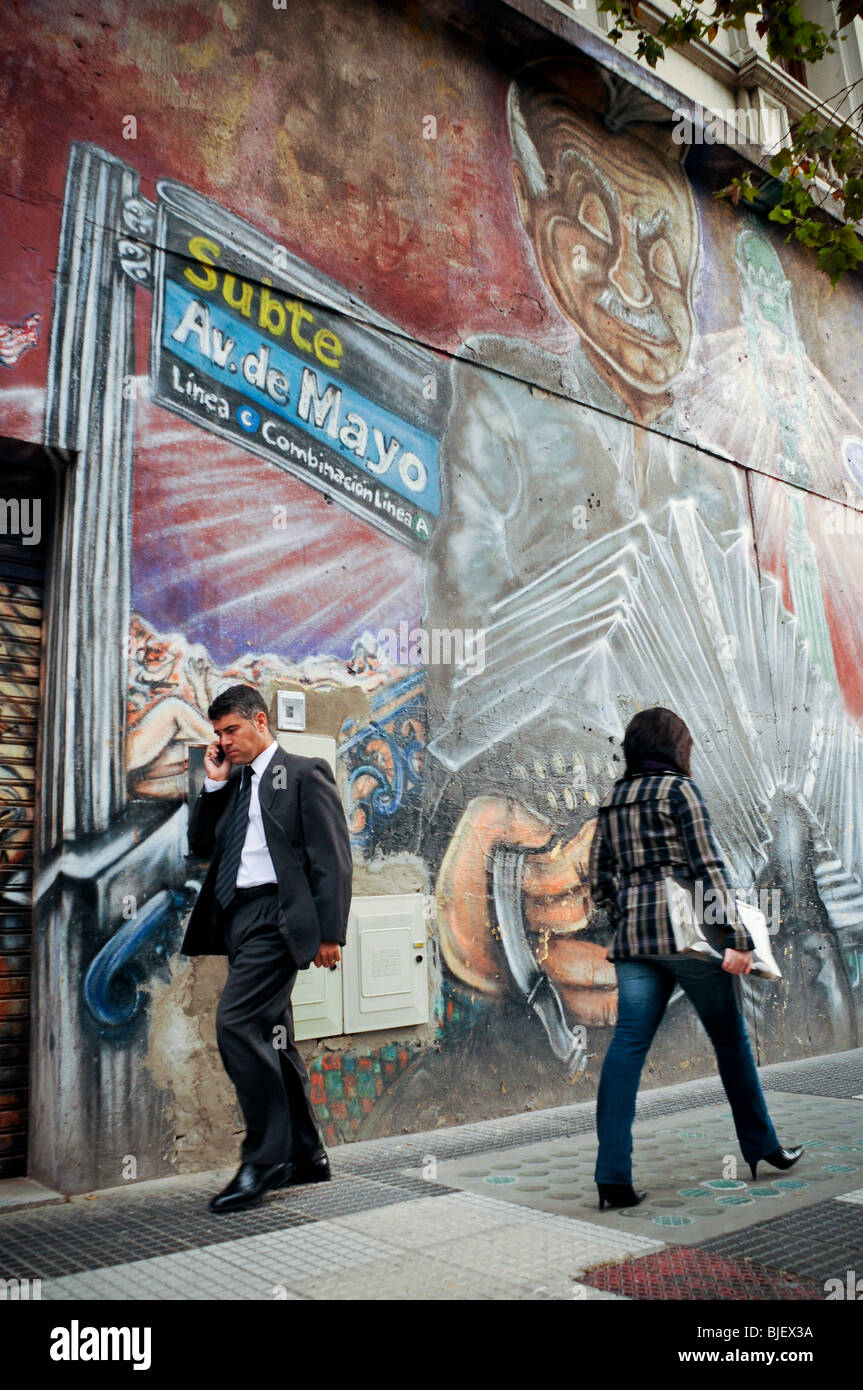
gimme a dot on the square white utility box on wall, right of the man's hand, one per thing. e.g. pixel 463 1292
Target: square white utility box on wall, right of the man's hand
pixel 384 964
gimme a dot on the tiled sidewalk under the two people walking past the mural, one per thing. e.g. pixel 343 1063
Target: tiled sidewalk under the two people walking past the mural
pixel 502 1210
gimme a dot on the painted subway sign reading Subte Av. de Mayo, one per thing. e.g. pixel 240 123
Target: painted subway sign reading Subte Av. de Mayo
pixel 295 377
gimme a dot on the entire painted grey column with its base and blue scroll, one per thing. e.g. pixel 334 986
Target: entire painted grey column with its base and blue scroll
pixel 94 1110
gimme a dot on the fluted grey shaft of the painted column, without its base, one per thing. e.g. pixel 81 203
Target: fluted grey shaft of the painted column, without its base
pixel 92 357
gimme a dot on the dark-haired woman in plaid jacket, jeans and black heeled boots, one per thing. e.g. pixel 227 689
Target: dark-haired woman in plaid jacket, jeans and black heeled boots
pixel 654 824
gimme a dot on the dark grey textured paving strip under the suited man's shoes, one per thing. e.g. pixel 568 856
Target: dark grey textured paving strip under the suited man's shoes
pixel 113 1231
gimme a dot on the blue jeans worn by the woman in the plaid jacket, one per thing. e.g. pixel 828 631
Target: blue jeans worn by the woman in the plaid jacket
pixel 644 992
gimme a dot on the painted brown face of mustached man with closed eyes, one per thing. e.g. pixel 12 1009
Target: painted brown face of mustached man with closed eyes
pixel 618 245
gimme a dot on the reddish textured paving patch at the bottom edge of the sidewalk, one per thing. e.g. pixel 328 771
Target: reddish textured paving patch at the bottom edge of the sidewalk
pixel 689 1274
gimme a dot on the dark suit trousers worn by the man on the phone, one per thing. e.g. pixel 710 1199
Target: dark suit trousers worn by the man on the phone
pixel 255 1033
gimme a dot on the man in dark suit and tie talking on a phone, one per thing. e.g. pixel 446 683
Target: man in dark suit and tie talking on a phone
pixel 276 899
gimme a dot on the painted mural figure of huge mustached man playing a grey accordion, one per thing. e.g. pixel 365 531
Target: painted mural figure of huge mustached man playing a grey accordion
pixel 611 564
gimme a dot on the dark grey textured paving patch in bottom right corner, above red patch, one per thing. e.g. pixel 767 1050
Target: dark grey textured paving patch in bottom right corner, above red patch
pixel 822 1242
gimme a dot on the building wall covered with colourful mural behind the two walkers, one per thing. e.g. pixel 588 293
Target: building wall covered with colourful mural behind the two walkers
pixel 401 362
